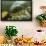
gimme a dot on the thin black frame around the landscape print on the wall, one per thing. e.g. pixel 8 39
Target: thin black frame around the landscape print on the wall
pixel 13 12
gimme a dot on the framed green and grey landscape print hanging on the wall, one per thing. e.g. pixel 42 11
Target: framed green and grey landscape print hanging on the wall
pixel 14 10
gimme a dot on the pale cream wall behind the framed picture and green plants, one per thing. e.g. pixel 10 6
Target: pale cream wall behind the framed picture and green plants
pixel 26 27
